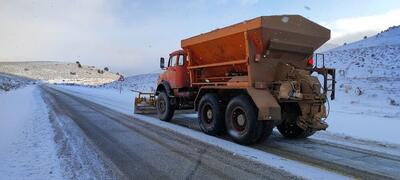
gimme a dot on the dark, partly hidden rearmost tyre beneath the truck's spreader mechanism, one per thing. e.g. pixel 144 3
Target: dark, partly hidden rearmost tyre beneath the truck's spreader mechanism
pixel 289 128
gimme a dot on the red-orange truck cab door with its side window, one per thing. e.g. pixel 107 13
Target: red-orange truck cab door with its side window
pixel 177 73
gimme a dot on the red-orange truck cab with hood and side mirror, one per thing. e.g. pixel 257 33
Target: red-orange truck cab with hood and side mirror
pixel 175 72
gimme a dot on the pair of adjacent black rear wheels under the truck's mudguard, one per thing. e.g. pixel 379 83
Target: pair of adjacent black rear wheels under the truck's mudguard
pixel 240 122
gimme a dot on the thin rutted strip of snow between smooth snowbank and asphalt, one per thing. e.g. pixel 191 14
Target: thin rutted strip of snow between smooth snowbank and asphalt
pixel 79 157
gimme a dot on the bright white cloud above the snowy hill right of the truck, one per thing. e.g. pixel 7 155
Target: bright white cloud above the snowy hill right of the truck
pixel 348 29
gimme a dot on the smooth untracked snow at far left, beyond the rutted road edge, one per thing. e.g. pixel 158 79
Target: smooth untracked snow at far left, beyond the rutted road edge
pixel 27 148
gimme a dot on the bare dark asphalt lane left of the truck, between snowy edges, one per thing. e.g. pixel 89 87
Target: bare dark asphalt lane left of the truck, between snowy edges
pixel 143 151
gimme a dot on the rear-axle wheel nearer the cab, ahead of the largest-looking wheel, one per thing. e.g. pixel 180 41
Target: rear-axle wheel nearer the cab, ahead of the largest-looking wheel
pixel 210 115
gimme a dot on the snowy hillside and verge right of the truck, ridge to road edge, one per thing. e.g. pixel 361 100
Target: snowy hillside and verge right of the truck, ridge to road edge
pixel 367 103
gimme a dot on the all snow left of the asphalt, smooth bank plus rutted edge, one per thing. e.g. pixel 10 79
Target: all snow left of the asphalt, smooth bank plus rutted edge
pixel 35 143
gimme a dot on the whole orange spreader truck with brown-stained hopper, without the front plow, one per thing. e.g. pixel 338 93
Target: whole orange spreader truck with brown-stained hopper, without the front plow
pixel 247 78
